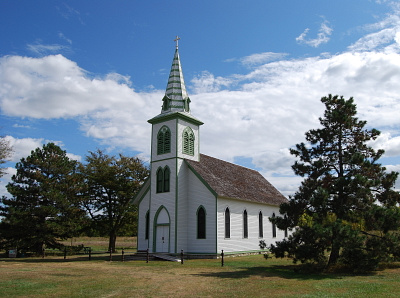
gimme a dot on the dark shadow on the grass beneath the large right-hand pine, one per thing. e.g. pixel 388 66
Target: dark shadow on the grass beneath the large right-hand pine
pixel 282 271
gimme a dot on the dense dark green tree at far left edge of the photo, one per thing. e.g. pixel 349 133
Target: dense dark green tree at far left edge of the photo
pixel 44 207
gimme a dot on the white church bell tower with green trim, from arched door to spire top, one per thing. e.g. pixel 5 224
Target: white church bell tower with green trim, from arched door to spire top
pixel 174 138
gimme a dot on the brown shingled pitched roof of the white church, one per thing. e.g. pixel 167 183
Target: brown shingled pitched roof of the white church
pixel 237 182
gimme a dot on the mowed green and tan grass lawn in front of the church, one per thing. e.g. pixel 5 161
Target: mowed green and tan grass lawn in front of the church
pixel 249 276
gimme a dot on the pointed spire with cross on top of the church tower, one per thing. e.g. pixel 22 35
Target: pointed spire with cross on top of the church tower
pixel 176 98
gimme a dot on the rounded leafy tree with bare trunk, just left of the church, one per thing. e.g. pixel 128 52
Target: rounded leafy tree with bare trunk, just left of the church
pixel 112 183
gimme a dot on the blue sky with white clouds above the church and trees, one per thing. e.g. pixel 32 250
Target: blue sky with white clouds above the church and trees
pixel 89 76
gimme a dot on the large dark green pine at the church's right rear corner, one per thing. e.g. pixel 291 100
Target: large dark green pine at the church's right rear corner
pixel 345 210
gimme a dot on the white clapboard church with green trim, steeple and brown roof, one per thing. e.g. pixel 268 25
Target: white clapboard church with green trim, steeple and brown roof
pixel 194 202
